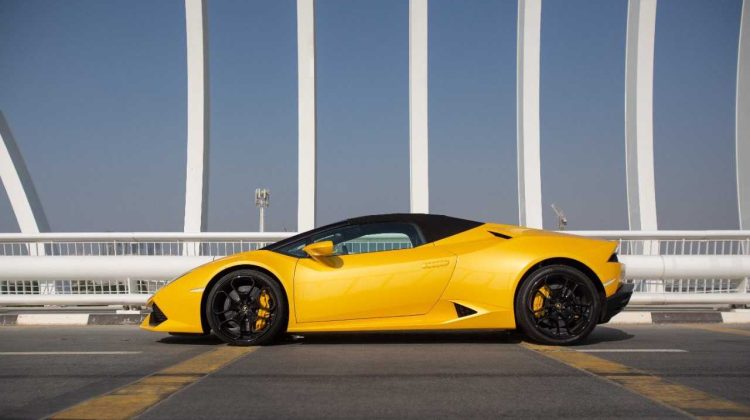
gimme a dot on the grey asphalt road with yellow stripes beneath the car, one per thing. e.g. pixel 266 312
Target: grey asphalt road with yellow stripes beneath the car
pixel 621 371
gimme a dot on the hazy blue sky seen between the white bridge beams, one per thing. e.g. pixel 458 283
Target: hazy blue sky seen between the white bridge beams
pixel 94 91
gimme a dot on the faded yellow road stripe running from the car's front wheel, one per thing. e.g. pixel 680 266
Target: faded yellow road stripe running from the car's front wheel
pixel 135 398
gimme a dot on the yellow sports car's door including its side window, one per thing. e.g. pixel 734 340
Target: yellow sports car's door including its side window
pixel 378 270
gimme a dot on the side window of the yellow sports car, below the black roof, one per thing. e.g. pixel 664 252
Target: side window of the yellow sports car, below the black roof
pixel 359 239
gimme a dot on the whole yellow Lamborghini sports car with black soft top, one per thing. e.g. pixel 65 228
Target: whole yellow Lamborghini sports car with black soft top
pixel 400 272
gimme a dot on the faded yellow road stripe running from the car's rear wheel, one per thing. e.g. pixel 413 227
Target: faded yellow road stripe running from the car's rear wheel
pixel 680 398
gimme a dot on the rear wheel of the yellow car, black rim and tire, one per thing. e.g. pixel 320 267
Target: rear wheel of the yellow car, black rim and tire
pixel 557 305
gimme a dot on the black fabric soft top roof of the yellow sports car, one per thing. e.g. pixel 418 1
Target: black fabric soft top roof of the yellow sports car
pixel 433 226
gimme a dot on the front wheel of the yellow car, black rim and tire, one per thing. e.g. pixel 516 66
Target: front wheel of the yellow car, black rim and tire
pixel 247 308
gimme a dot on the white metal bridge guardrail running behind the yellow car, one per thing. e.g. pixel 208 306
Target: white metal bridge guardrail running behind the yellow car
pixel 126 268
